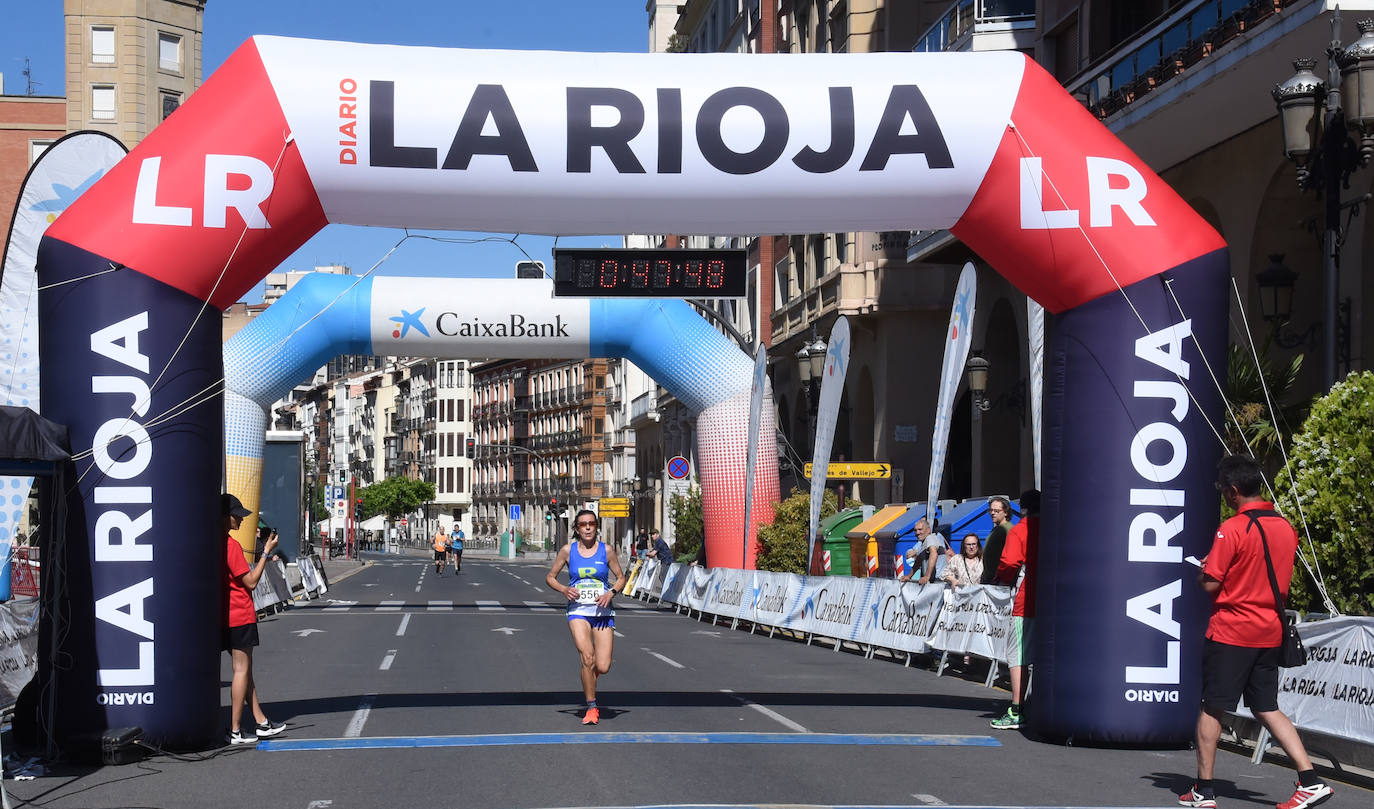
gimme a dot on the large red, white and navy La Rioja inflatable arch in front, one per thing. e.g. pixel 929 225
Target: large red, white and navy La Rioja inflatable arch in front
pixel 291 135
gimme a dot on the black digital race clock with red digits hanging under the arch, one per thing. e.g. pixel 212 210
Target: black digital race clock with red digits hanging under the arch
pixel 623 273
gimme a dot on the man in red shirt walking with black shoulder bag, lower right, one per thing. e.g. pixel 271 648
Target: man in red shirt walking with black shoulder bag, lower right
pixel 1240 654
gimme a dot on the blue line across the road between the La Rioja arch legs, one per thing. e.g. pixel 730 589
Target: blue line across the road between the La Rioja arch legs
pixel 600 738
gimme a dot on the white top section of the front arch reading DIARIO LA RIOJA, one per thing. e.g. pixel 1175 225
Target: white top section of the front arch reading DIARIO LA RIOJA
pixel 532 137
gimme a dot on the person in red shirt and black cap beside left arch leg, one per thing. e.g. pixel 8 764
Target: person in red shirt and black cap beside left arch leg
pixel 241 626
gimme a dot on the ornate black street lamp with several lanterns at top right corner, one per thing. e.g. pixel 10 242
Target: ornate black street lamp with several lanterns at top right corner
pixel 1327 156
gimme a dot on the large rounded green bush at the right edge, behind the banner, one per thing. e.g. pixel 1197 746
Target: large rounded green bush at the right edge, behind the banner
pixel 1332 465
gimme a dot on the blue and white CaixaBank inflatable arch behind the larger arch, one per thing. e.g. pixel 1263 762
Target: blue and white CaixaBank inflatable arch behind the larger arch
pixel 326 315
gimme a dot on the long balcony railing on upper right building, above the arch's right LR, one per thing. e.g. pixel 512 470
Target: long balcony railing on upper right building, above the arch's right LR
pixel 1167 50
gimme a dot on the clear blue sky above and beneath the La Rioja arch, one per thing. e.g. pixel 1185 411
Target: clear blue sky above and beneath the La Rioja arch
pixel 34 30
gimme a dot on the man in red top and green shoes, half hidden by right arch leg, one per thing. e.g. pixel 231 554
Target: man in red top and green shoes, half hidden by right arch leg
pixel 1020 551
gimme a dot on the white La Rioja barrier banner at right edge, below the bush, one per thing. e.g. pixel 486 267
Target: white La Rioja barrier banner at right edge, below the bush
pixel 1335 692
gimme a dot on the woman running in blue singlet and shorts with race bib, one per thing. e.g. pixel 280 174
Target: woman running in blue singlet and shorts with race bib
pixel 590 593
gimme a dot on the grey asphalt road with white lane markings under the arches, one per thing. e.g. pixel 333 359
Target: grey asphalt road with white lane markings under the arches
pixel 405 689
